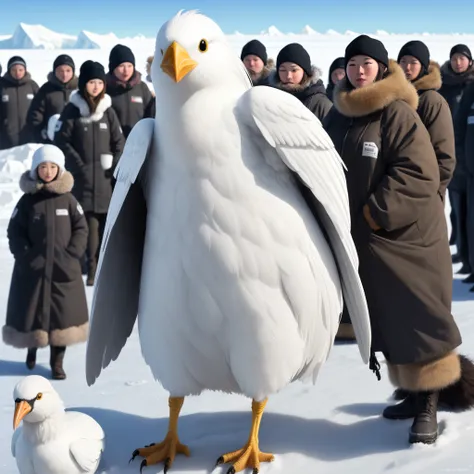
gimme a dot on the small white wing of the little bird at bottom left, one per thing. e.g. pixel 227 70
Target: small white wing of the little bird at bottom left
pixel 89 444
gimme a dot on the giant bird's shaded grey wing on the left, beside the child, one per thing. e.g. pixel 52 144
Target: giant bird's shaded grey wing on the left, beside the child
pixel 117 285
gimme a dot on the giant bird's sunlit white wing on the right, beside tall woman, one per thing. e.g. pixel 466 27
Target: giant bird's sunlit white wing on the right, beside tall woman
pixel 297 138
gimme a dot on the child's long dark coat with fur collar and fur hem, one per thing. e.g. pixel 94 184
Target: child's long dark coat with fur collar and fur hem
pixel 47 235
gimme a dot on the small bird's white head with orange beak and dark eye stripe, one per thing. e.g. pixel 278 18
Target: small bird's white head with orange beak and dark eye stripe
pixel 35 400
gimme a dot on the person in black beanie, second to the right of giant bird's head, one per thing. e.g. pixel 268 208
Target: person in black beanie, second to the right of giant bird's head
pixel 295 75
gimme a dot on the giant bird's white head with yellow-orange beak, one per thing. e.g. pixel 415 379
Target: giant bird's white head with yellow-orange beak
pixel 192 53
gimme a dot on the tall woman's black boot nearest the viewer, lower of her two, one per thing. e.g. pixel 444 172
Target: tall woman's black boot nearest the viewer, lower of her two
pixel 425 425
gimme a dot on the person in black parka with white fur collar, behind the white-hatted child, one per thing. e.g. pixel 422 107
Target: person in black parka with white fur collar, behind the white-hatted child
pixel 92 140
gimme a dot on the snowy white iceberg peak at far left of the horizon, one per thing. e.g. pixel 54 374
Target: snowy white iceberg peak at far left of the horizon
pixel 37 37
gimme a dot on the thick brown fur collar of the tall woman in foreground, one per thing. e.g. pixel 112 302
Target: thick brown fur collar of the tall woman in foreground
pixel 376 96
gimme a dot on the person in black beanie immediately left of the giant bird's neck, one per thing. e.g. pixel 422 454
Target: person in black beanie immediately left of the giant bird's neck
pixel 131 98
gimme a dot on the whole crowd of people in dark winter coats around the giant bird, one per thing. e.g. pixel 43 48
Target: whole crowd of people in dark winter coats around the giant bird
pixel 400 126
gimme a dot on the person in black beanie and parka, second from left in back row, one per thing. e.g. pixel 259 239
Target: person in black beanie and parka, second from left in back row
pixel 51 98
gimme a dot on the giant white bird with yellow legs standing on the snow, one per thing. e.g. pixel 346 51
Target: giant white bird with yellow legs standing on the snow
pixel 228 235
